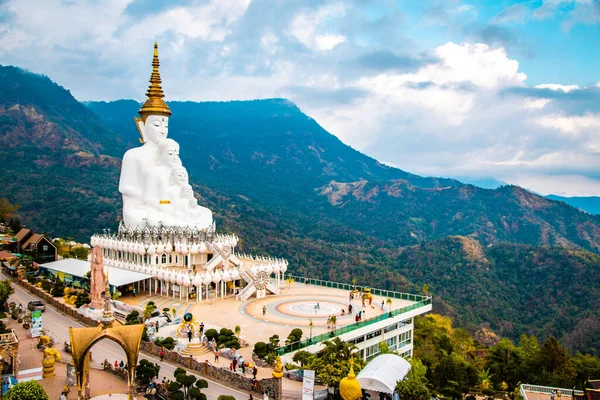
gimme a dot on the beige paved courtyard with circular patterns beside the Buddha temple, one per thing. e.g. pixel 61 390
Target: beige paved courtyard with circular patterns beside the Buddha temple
pixel 293 308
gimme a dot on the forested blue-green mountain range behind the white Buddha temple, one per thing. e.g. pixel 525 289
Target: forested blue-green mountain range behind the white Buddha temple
pixel 289 188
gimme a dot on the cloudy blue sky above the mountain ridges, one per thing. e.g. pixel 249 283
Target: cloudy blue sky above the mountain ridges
pixel 508 90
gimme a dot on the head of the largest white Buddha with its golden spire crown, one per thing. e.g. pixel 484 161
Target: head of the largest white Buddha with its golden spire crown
pixel 155 113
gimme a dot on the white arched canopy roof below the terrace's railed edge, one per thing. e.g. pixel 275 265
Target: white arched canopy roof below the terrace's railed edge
pixel 382 373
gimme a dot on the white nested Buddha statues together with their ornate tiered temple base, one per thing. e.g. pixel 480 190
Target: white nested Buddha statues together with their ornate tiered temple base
pixel 165 234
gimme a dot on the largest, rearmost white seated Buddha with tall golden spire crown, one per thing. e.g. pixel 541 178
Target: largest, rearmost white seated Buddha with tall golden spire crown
pixel 153 127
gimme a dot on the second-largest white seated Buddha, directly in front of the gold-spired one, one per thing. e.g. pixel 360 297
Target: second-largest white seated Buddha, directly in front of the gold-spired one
pixel 159 180
